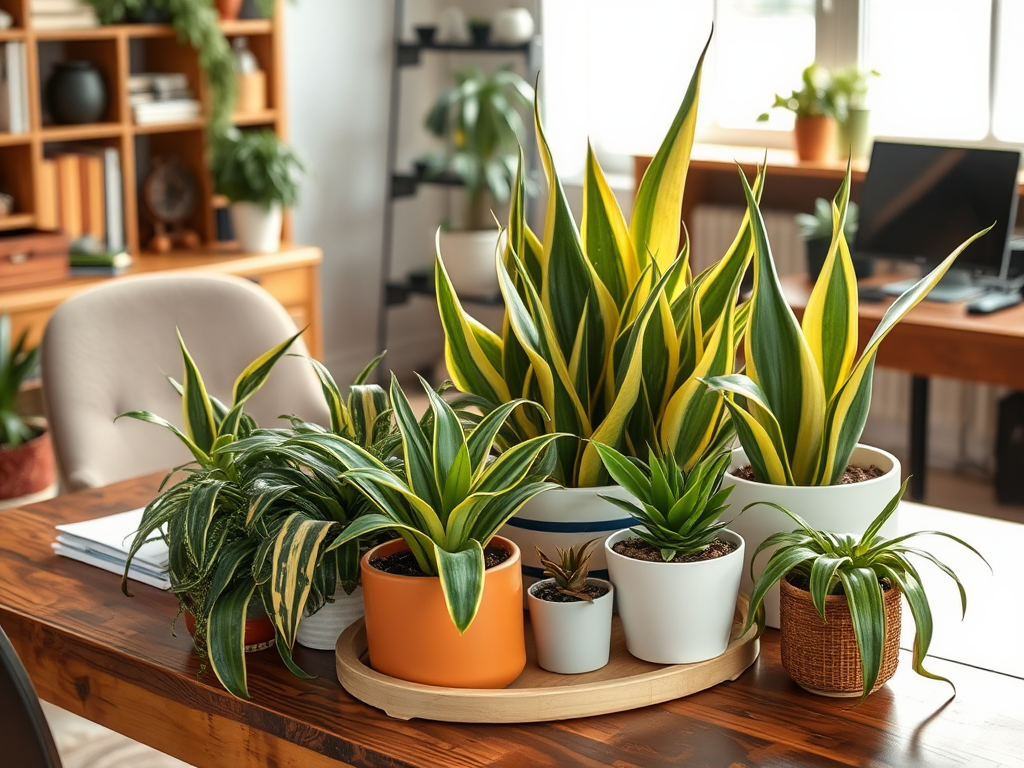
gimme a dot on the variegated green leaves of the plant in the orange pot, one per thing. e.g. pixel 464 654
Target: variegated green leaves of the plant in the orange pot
pixel 450 499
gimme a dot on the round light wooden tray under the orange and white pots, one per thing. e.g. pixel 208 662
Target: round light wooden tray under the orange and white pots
pixel 626 684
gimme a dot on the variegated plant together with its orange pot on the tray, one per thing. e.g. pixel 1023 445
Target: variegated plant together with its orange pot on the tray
pixel 444 604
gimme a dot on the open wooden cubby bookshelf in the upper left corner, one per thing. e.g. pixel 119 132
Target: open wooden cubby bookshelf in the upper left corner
pixel 118 52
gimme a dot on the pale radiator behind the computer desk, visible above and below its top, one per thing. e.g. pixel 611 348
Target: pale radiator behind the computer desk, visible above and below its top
pixel 962 416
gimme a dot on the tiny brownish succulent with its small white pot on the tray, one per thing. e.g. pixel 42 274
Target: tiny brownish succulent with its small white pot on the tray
pixel 571 614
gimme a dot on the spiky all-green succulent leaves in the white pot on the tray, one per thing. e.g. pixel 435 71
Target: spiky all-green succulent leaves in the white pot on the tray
pixel 678 511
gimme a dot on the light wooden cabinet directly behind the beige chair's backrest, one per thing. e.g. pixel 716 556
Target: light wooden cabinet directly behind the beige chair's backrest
pixel 291 276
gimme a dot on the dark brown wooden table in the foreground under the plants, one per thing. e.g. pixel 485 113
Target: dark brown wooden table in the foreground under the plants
pixel 113 660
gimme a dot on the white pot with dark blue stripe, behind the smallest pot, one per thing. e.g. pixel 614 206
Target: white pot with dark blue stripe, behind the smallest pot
pixel 567 518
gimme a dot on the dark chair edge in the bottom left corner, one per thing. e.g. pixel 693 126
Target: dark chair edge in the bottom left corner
pixel 25 736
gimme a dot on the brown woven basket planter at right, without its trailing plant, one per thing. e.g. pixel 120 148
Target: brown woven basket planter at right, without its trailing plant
pixel 823 657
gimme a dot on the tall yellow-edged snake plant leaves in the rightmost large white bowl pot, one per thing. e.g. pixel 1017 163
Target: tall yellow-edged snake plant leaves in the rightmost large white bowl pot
pixel 802 406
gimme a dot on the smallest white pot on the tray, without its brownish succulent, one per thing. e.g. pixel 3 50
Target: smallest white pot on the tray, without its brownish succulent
pixel 574 637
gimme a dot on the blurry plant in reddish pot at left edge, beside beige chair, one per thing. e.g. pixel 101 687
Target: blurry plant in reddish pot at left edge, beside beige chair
pixel 27 467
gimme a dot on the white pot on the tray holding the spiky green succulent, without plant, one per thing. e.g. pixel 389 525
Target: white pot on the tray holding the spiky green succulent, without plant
pixel 676 613
